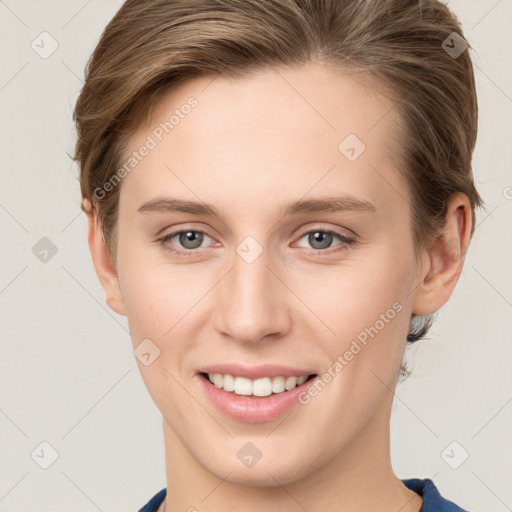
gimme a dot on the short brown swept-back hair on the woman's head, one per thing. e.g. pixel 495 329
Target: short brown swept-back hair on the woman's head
pixel 151 45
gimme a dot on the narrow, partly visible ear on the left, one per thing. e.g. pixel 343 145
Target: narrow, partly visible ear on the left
pixel 102 261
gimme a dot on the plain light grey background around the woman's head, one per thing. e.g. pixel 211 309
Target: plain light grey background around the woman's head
pixel 67 372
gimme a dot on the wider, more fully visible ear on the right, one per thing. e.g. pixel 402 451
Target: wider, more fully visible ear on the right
pixel 445 259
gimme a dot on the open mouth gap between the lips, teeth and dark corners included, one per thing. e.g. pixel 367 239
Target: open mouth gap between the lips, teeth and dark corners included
pixel 256 388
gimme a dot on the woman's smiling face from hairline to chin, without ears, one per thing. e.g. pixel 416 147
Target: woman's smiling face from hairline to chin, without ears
pixel 268 283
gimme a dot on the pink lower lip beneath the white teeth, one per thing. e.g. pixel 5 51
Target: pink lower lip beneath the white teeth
pixel 254 410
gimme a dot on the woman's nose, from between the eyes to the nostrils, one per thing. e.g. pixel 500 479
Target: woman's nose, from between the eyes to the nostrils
pixel 252 302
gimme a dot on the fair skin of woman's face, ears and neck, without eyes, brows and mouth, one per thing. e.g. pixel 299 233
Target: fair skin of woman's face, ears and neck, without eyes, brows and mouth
pixel 249 148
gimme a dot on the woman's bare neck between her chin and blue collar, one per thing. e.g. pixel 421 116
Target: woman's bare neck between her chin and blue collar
pixel 360 477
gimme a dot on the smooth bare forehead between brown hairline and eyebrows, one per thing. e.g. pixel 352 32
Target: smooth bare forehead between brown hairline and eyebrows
pixel 280 133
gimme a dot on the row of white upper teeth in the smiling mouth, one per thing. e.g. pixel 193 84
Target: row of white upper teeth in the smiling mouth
pixel 258 387
